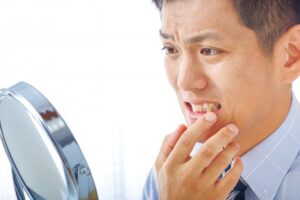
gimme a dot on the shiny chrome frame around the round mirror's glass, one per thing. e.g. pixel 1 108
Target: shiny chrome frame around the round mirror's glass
pixel 42 111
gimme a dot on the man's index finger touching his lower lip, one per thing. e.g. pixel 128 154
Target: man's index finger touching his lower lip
pixel 190 137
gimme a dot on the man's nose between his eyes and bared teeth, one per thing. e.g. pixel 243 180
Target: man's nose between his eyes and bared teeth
pixel 191 76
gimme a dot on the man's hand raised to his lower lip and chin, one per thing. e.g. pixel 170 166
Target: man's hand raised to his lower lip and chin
pixel 183 177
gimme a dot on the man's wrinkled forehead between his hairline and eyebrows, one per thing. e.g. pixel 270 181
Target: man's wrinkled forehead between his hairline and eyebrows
pixel 188 17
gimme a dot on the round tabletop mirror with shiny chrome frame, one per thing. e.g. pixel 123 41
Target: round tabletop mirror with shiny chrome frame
pixel 46 160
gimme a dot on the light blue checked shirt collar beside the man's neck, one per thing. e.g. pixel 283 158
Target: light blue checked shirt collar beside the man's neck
pixel 267 163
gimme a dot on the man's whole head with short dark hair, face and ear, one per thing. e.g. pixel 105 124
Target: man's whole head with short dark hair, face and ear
pixel 236 58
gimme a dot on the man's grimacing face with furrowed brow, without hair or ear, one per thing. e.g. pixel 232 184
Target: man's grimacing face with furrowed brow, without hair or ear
pixel 215 63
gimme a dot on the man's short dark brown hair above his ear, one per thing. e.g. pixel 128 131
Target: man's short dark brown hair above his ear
pixel 268 18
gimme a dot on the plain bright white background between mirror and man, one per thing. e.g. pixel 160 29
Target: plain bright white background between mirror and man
pixel 100 64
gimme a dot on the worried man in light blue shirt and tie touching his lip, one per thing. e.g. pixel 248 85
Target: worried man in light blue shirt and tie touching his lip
pixel 231 64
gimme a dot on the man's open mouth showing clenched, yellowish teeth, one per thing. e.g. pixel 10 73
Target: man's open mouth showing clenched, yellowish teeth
pixel 203 107
